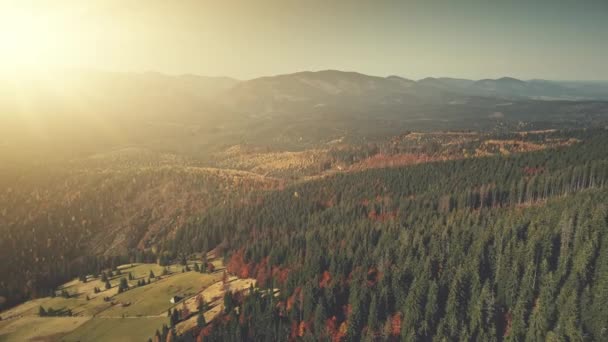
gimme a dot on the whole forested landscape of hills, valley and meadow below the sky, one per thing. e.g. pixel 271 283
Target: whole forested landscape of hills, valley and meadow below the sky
pixel 419 211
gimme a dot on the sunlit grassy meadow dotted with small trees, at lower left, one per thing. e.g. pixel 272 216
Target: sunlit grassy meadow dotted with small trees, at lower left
pixel 133 315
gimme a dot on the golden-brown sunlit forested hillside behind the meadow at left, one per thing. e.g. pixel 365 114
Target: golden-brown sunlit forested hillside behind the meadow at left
pixel 61 222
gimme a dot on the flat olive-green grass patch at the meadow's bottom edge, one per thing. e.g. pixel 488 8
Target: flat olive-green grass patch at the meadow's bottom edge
pixel 103 329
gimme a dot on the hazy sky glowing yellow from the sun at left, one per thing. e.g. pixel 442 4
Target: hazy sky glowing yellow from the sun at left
pixel 549 39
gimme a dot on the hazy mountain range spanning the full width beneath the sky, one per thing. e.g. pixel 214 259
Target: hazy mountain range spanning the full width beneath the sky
pixel 79 112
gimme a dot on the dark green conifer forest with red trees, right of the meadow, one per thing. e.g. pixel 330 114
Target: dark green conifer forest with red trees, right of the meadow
pixel 503 248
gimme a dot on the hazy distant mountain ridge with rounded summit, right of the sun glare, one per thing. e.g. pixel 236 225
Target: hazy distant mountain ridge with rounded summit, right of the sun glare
pixel 339 91
